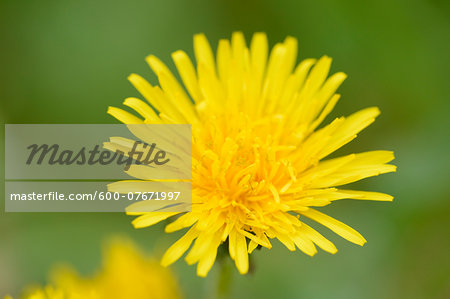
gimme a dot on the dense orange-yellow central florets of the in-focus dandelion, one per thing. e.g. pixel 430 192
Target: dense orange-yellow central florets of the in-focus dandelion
pixel 242 164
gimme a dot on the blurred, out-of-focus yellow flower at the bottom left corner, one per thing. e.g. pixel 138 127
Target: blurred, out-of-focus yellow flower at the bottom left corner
pixel 126 273
